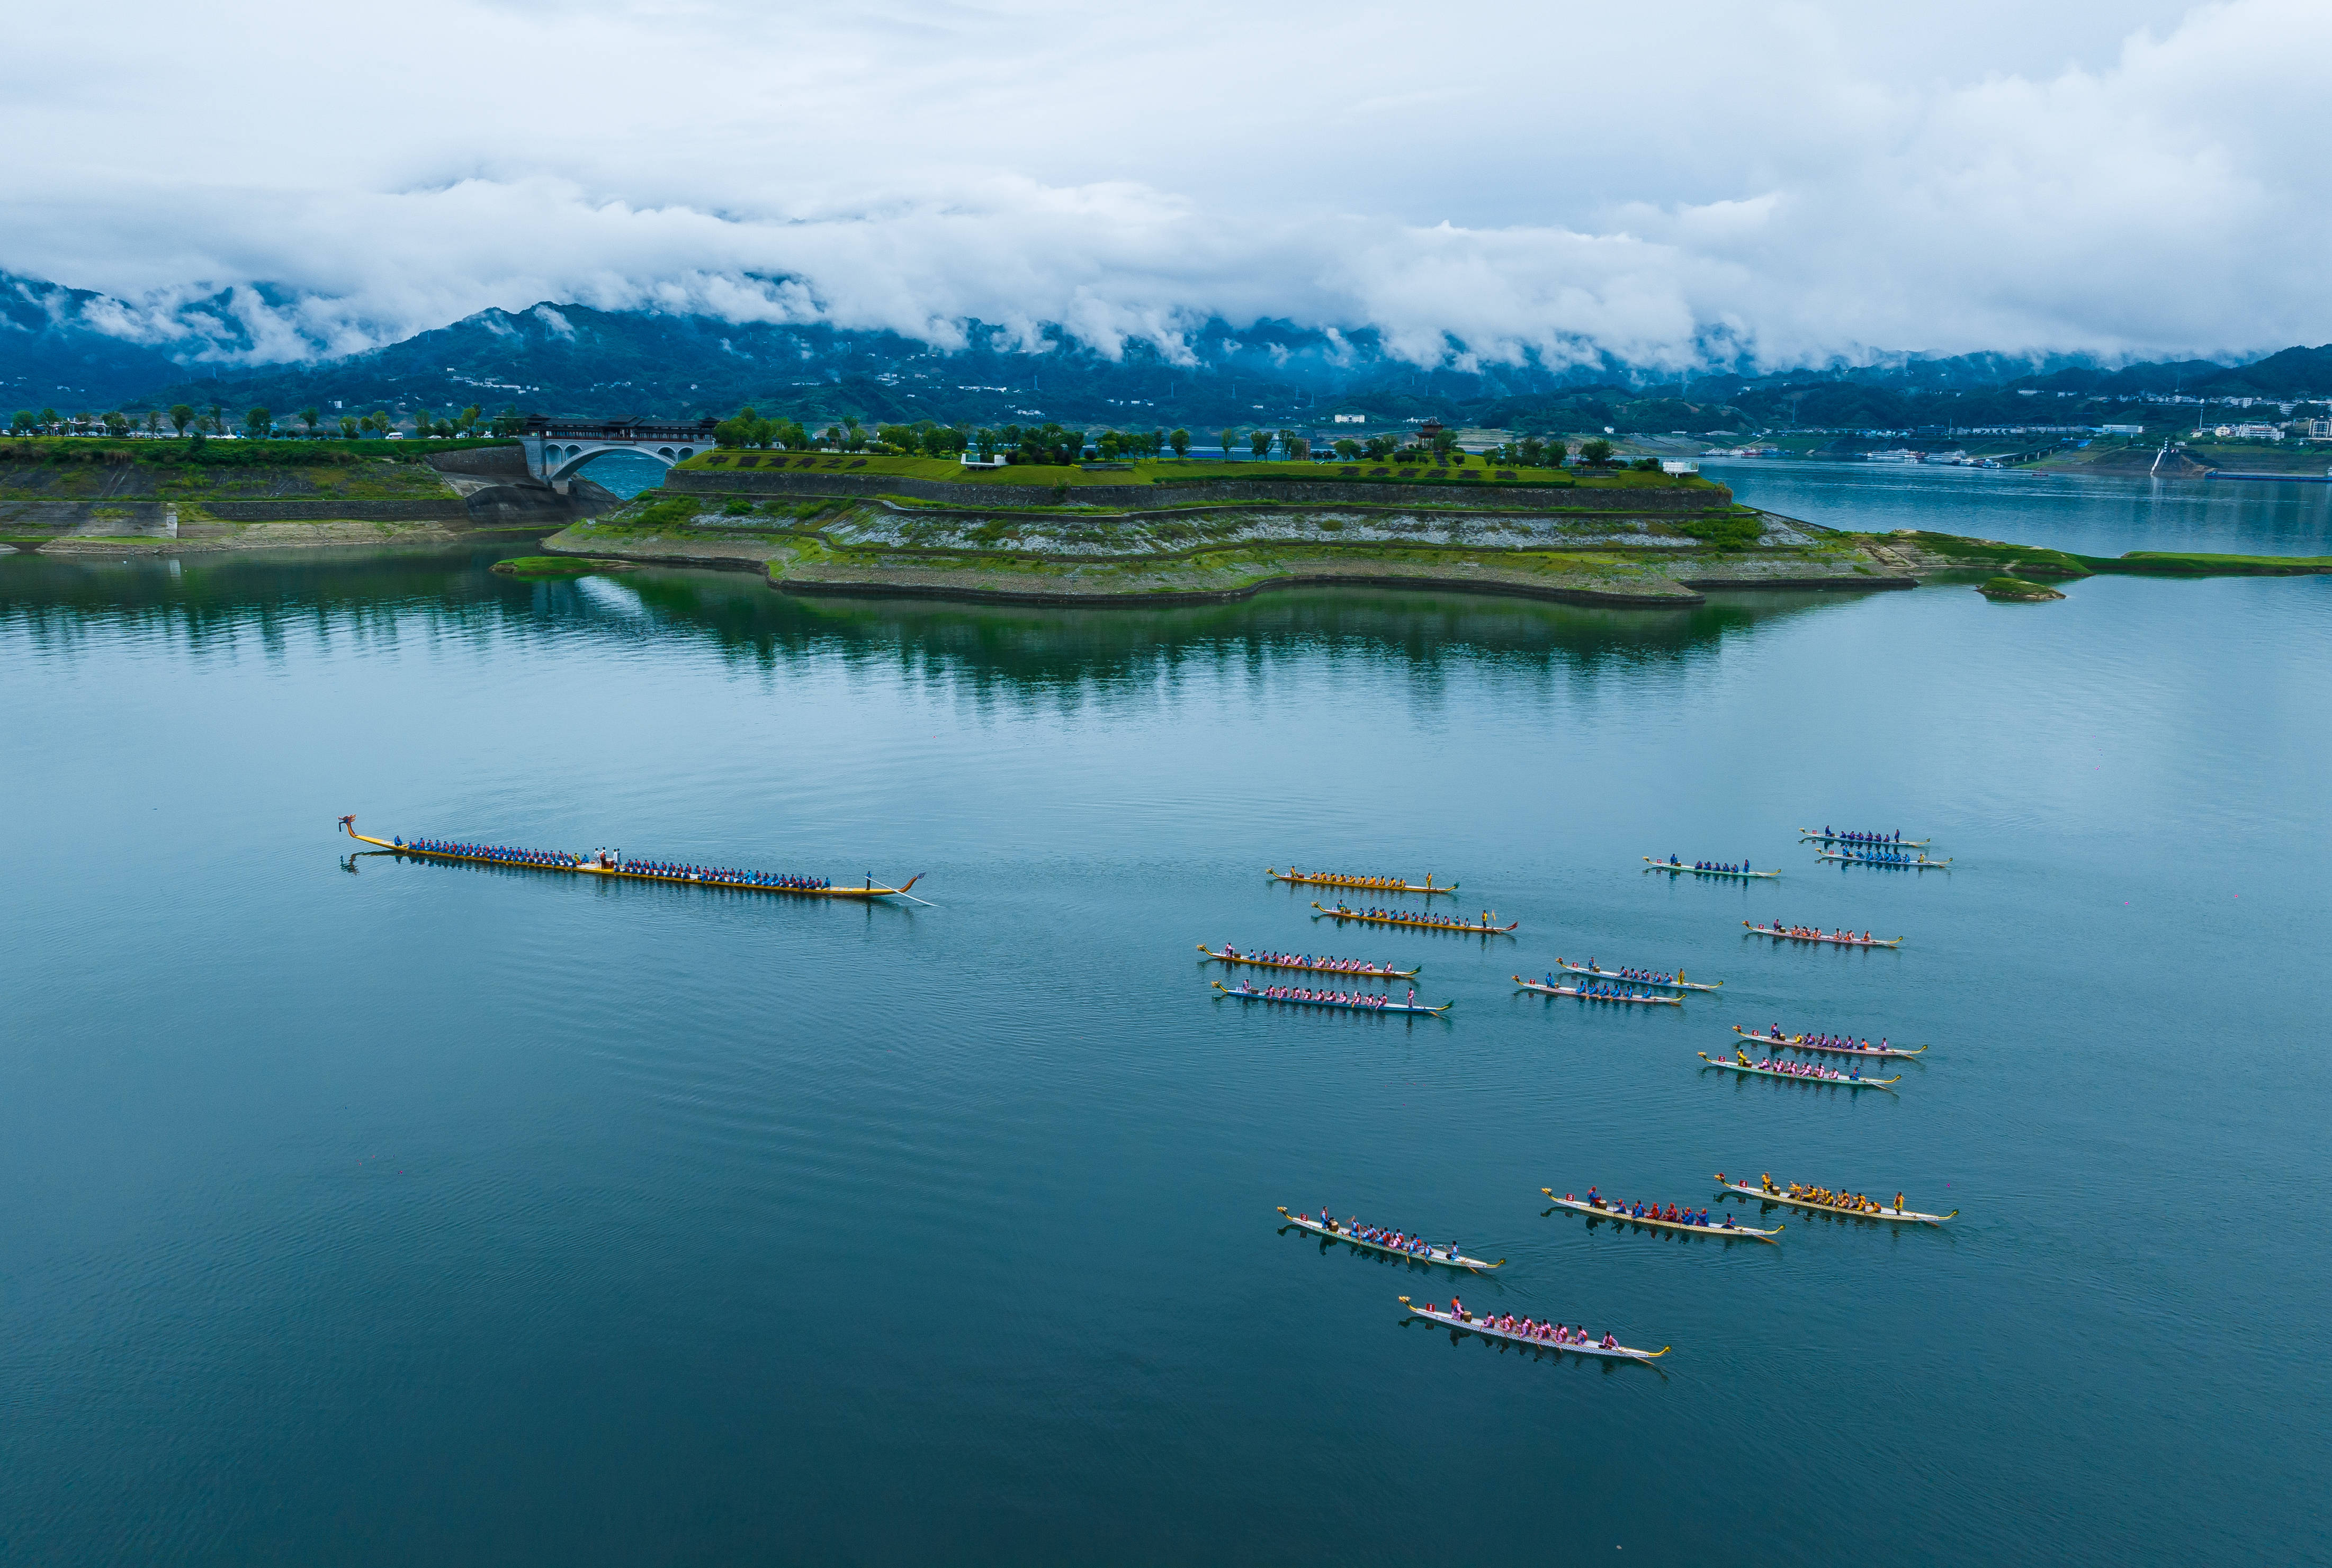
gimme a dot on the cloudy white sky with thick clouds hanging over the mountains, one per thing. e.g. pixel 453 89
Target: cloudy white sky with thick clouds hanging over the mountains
pixel 1766 181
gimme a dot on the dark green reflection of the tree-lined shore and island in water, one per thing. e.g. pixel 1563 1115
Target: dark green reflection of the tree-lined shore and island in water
pixel 218 602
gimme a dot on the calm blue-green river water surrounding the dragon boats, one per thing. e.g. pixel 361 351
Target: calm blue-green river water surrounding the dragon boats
pixel 381 1213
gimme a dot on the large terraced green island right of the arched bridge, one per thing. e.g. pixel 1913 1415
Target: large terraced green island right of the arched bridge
pixel 1165 530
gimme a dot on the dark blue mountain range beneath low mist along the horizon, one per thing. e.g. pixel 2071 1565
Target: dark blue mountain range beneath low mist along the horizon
pixel 85 353
